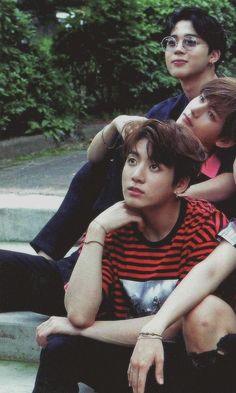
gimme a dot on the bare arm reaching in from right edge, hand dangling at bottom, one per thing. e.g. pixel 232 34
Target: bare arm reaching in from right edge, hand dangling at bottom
pixel 212 271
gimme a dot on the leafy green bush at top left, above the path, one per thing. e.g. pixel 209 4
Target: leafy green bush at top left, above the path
pixel 36 93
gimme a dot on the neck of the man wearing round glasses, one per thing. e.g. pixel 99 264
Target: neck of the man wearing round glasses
pixel 193 85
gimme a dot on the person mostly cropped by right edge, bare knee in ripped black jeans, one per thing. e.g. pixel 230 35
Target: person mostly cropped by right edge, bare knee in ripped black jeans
pixel 203 317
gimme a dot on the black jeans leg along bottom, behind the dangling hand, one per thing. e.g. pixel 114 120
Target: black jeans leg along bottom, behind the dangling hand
pixel 68 360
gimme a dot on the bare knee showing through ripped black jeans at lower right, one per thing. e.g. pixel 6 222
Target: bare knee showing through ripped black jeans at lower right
pixel 207 323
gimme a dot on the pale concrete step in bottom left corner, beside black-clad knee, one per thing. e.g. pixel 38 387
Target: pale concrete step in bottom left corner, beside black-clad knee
pixel 19 352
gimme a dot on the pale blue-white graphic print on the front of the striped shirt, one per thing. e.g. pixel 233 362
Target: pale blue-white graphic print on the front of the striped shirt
pixel 146 298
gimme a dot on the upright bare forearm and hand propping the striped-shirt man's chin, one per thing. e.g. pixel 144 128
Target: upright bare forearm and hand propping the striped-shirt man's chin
pixel 86 280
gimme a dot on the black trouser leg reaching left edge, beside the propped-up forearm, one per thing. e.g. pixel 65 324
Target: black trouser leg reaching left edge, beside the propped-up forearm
pixel 32 283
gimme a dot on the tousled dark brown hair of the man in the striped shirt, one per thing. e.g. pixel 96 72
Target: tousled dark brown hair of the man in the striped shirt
pixel 168 144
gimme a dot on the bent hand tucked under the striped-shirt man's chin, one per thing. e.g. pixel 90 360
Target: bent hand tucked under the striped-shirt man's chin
pixel 117 216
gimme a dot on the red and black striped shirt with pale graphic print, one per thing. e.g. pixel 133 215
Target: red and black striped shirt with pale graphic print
pixel 138 275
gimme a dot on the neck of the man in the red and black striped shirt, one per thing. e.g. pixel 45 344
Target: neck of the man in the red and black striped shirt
pixel 160 220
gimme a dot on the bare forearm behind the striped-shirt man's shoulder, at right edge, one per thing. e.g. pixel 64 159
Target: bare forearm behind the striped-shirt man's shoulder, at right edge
pixel 217 189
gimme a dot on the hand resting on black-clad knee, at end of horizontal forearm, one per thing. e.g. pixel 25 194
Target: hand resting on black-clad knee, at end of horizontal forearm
pixel 54 325
